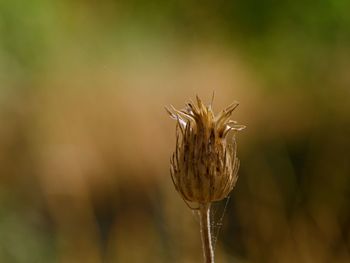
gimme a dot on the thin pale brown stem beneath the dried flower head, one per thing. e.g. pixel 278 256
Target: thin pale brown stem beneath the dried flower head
pixel 204 216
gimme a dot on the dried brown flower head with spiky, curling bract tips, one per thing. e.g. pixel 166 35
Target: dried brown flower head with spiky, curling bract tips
pixel 204 165
